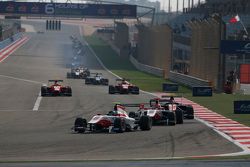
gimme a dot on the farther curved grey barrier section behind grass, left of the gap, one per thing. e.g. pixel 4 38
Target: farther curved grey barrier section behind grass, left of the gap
pixel 146 68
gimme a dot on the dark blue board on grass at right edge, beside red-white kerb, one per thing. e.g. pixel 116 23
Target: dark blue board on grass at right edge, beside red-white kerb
pixel 242 107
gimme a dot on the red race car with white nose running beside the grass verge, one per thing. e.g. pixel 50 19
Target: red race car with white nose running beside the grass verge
pixel 123 87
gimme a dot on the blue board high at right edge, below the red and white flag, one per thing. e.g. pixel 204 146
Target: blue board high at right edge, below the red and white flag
pixel 234 47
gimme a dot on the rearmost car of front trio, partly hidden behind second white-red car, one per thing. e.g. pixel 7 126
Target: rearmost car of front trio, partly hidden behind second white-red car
pixel 168 103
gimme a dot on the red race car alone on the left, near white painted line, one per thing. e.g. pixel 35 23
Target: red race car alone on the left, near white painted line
pixel 55 89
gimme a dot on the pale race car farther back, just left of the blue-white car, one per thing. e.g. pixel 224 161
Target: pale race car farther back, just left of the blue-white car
pixel 78 73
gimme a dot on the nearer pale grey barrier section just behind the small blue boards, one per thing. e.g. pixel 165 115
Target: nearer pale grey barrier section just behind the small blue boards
pixel 187 80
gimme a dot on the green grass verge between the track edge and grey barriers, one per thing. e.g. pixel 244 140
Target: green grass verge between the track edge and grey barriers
pixel 220 103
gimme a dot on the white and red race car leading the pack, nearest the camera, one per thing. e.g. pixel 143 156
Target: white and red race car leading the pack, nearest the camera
pixel 114 121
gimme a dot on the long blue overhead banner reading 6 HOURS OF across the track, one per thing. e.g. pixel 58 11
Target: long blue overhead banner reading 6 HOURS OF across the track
pixel 69 9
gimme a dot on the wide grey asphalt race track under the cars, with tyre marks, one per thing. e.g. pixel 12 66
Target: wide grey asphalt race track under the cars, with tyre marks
pixel 30 135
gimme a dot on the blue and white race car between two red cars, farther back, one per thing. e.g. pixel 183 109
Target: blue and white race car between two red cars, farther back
pixel 97 79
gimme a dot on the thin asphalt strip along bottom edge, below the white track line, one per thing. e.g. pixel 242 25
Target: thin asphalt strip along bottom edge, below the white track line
pixel 158 163
